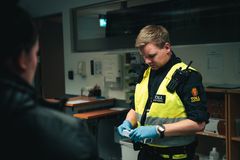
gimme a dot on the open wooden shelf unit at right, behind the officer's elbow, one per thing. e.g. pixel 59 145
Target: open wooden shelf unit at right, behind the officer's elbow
pixel 222 131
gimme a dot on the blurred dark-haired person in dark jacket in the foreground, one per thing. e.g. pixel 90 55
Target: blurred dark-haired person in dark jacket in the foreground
pixel 30 129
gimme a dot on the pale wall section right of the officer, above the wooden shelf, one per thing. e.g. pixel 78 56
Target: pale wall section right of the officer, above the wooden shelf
pixel 218 63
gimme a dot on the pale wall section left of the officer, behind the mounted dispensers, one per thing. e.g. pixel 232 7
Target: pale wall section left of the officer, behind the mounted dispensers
pixel 74 86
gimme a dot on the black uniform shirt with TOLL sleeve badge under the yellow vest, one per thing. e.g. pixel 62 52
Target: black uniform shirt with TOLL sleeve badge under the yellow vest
pixel 191 92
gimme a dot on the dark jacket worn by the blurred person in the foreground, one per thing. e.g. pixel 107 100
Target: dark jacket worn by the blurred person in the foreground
pixel 30 130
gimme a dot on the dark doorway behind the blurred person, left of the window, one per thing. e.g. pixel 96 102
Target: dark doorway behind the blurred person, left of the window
pixel 50 81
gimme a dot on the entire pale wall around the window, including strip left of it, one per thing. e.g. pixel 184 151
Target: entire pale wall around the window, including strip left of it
pixel 218 63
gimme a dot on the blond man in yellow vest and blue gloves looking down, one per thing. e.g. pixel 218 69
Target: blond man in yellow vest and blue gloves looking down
pixel 165 114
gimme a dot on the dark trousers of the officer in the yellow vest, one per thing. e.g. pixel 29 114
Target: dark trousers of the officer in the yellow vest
pixel 154 153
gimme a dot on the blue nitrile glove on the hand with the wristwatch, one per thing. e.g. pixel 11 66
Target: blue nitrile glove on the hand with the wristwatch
pixel 143 132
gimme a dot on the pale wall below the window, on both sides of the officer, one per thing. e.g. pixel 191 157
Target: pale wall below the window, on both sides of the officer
pixel 218 64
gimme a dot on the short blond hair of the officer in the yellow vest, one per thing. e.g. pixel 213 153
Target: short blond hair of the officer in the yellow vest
pixel 156 34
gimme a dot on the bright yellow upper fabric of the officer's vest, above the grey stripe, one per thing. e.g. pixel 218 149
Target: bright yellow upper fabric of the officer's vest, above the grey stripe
pixel 172 108
